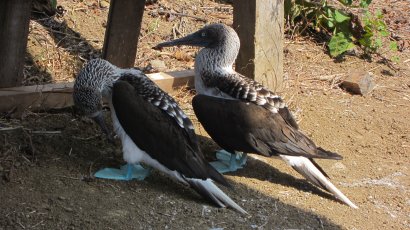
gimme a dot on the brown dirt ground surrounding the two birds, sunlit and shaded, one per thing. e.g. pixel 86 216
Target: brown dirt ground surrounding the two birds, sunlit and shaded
pixel 47 159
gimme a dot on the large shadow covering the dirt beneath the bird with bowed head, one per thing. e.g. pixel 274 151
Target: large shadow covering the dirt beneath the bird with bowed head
pixel 46 182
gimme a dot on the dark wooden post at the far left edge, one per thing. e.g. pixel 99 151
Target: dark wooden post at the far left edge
pixel 14 24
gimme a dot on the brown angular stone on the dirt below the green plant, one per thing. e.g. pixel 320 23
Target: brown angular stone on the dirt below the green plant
pixel 359 83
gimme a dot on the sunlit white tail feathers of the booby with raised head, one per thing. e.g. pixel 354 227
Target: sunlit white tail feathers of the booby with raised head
pixel 305 167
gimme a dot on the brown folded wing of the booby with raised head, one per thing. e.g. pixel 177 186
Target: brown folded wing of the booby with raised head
pixel 241 126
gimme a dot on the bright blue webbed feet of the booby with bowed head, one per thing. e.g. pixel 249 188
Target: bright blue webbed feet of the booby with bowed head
pixel 126 172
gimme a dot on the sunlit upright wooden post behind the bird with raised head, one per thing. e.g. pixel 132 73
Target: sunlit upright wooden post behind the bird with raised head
pixel 260 26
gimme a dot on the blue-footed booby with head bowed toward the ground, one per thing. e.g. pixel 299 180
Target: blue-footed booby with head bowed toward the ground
pixel 152 127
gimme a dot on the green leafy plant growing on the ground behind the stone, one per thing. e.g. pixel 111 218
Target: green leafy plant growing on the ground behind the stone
pixel 345 29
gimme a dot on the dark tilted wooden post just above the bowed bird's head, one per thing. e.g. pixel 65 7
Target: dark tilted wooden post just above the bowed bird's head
pixel 123 29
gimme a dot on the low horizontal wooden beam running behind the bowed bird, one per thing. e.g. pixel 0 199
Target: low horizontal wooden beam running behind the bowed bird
pixel 56 96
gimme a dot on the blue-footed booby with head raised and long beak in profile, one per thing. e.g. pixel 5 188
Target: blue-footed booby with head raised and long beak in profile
pixel 240 114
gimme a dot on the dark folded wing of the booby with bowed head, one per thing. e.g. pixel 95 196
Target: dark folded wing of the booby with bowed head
pixel 158 133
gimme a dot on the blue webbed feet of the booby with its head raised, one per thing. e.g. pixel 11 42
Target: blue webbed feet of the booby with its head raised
pixel 229 162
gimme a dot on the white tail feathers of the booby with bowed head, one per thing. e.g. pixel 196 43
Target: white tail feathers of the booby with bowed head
pixel 214 193
